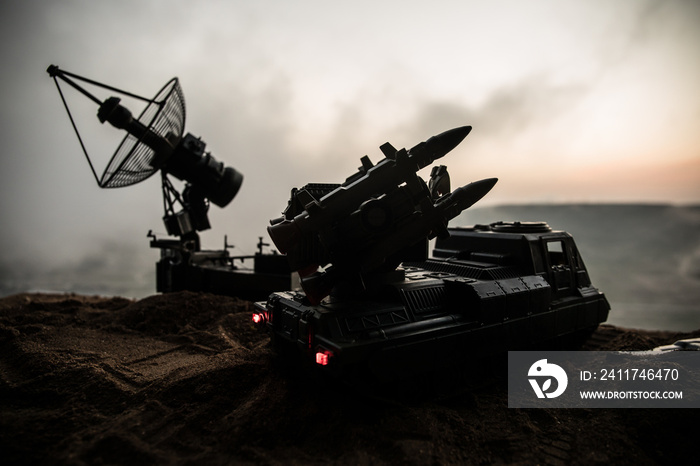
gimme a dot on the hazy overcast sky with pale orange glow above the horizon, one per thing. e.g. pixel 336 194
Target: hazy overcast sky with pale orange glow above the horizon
pixel 570 101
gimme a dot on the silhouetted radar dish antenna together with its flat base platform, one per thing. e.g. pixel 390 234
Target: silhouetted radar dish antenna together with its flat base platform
pixel 155 142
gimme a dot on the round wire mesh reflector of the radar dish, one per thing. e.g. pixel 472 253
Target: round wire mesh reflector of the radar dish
pixel 133 161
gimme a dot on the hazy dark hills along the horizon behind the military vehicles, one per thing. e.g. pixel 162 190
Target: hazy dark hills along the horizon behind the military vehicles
pixel 644 257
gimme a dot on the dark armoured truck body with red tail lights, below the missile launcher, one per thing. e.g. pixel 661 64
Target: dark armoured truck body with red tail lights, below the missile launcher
pixel 488 288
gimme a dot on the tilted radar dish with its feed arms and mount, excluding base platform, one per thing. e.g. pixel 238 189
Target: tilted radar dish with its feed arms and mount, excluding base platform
pixel 155 142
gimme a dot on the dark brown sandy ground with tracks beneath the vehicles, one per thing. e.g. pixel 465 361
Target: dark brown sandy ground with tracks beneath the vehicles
pixel 186 378
